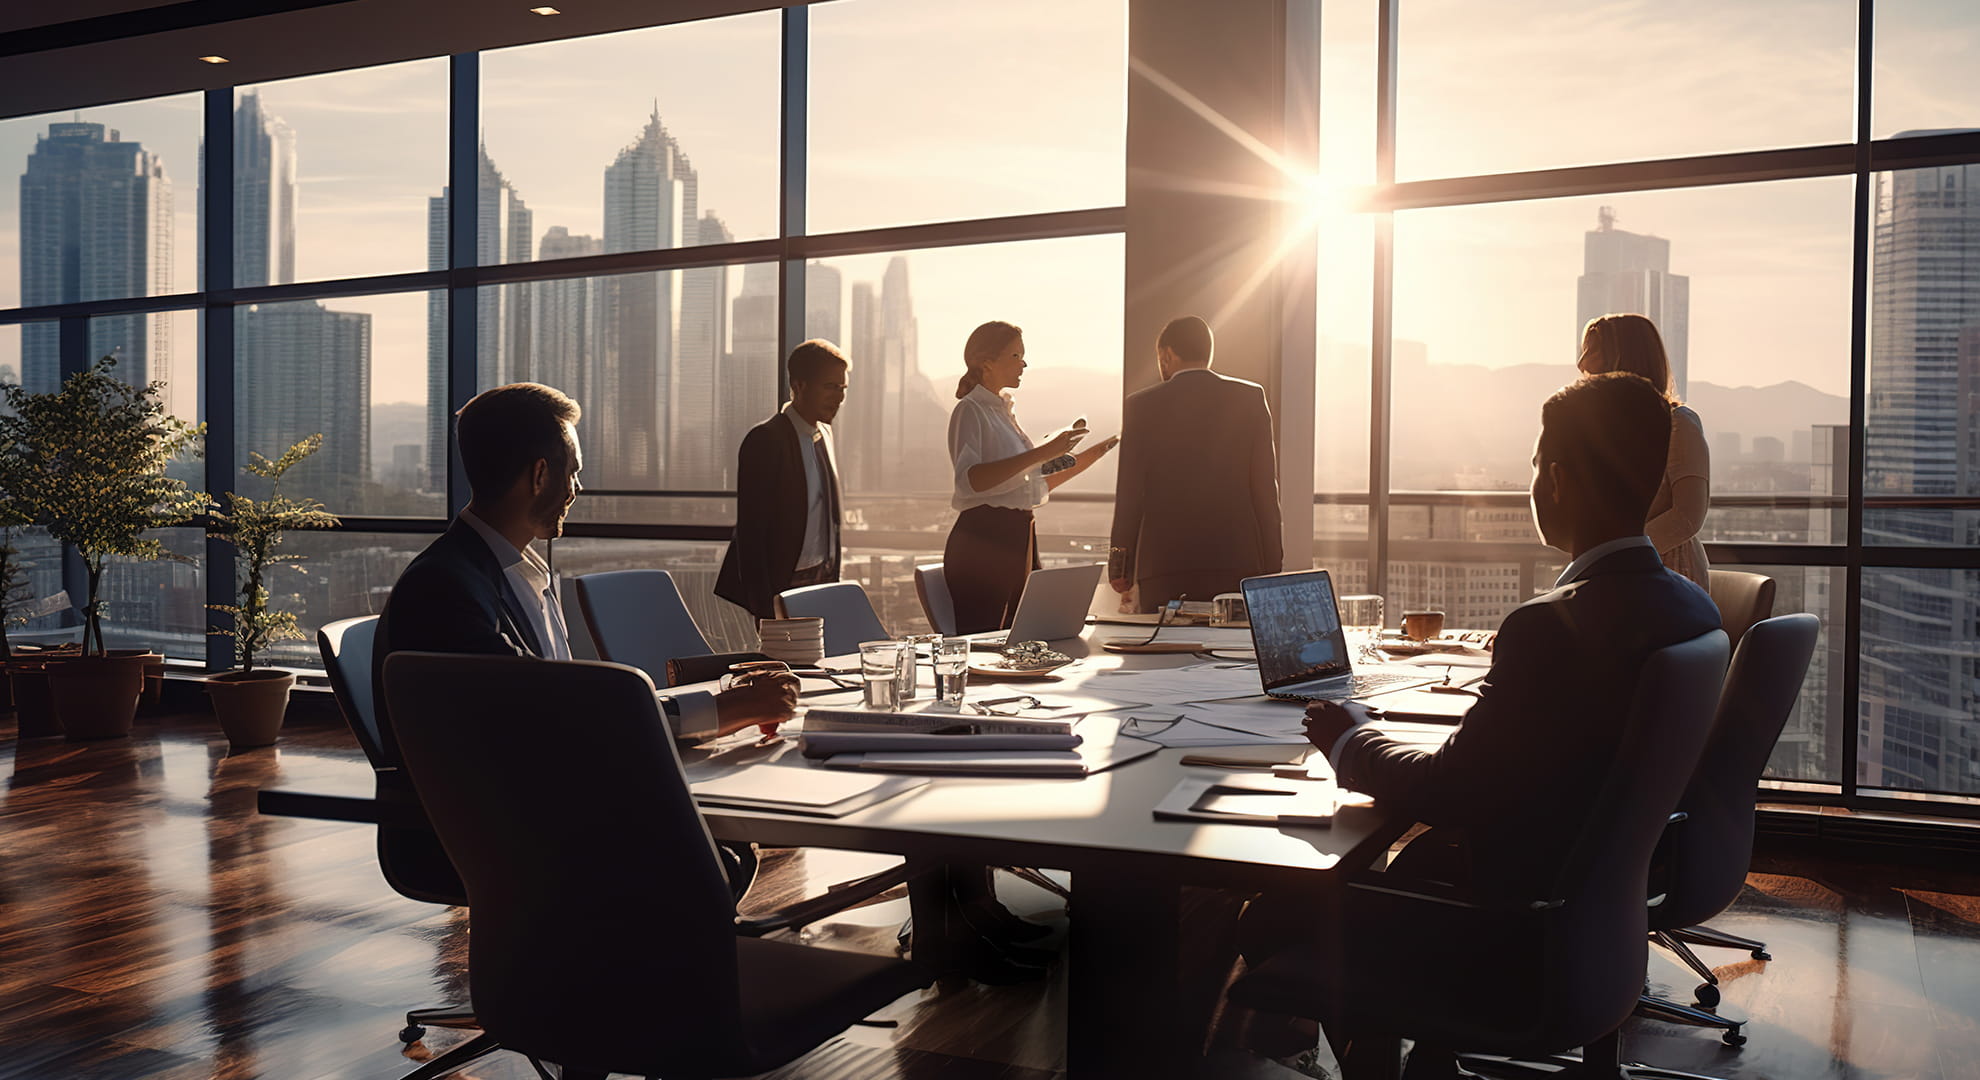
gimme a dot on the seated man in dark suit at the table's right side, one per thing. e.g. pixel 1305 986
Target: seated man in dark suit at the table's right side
pixel 1512 786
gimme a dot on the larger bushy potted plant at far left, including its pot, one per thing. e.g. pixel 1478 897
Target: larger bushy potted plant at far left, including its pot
pixel 88 465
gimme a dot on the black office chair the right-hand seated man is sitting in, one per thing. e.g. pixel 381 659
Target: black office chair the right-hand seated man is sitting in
pixel 1563 970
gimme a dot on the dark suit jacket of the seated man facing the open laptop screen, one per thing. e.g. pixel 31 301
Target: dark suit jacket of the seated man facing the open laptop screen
pixel 1516 778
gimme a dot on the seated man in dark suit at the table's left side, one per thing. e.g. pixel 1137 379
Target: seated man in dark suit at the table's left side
pixel 480 588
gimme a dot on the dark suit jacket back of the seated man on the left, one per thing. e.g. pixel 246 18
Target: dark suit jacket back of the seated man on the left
pixel 450 599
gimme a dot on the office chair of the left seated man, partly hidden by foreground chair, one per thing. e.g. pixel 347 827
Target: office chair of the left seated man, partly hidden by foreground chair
pixel 409 857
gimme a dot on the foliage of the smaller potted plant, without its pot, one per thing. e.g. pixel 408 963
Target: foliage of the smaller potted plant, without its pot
pixel 256 528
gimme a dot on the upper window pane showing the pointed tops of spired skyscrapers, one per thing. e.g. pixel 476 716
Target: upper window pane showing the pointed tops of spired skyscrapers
pixel 617 144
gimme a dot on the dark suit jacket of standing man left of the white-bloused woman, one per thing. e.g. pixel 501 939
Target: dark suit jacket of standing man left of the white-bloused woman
pixel 771 510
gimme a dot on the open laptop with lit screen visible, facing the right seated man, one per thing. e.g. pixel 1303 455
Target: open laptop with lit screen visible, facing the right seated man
pixel 1302 651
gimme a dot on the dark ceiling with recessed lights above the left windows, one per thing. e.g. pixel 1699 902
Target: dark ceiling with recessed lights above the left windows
pixel 70 54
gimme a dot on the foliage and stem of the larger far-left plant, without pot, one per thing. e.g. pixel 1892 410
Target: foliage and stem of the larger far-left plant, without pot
pixel 88 465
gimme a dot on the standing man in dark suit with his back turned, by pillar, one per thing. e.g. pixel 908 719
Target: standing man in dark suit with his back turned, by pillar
pixel 1197 504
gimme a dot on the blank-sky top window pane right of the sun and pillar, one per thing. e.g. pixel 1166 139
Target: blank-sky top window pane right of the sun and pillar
pixel 1534 84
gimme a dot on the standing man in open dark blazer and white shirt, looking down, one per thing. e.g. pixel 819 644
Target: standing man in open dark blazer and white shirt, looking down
pixel 789 490
